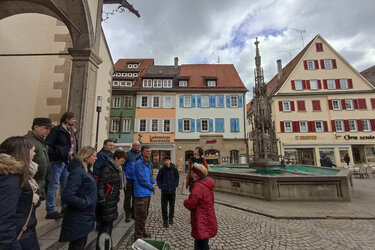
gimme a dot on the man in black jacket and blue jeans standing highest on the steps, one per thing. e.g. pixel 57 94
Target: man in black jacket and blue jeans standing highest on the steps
pixel 62 147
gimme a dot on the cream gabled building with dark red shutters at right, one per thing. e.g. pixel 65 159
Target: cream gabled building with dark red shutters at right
pixel 322 106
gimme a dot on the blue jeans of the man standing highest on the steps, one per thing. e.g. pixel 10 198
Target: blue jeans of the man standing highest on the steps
pixel 59 176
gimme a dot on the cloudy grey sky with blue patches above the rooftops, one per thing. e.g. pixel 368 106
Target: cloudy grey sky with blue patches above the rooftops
pixel 224 31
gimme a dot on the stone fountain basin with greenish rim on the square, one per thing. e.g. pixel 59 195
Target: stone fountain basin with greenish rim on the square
pixel 294 183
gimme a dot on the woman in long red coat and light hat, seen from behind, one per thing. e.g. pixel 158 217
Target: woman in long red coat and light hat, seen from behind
pixel 201 206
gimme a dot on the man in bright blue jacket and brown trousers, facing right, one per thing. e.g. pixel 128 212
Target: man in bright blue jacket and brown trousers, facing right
pixel 144 185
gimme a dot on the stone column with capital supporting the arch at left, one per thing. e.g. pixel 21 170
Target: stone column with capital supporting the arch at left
pixel 85 64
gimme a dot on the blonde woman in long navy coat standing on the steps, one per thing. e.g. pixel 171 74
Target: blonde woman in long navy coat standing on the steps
pixel 80 195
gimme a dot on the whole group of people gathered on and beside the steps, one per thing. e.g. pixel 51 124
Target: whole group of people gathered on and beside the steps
pixel 34 166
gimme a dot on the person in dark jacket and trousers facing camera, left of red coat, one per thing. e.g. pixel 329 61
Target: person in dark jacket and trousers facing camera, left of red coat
pixel 167 180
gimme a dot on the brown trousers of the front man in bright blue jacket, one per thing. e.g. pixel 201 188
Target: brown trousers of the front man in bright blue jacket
pixel 141 205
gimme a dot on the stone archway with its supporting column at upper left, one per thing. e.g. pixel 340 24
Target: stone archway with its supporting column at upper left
pixel 85 60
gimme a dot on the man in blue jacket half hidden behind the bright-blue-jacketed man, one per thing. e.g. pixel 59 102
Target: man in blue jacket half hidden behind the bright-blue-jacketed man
pixel 128 168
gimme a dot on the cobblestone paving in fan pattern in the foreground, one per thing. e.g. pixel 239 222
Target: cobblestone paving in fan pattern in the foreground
pixel 244 230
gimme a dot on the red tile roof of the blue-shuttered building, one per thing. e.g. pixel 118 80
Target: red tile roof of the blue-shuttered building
pixel 226 75
